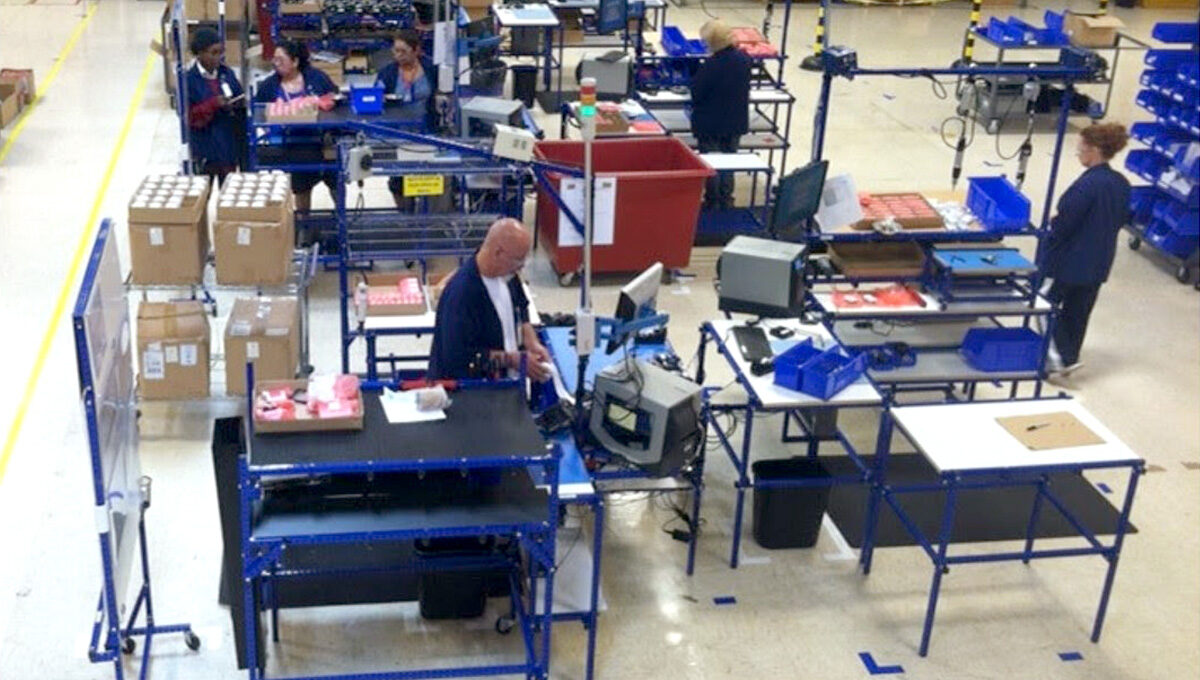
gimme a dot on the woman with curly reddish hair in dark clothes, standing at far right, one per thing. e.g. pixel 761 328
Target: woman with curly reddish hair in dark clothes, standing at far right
pixel 1078 255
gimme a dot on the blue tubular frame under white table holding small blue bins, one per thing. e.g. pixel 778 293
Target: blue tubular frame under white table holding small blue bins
pixel 741 456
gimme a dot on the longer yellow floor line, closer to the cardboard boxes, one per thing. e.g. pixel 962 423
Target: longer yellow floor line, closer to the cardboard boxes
pixel 76 262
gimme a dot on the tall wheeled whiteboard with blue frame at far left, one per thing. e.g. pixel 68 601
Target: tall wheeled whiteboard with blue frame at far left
pixel 122 496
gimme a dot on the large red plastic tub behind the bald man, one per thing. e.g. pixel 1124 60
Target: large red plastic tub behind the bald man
pixel 661 184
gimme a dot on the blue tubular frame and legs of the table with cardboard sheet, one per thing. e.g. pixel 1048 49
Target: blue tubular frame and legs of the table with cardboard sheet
pixel 951 483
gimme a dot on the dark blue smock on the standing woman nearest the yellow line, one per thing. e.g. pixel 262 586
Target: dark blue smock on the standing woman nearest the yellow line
pixel 214 130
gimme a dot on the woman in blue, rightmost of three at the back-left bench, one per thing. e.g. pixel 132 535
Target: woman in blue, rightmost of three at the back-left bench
pixel 412 80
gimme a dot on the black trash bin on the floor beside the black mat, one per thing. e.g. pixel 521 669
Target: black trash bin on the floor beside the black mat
pixel 790 517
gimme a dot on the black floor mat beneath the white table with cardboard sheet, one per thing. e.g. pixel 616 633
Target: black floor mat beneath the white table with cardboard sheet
pixel 981 515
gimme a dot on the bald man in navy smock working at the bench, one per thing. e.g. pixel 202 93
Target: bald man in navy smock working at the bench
pixel 483 318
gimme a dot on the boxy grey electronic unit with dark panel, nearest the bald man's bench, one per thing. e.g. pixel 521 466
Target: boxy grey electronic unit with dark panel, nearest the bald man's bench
pixel 647 416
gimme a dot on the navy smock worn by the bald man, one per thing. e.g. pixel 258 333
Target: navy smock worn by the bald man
pixel 469 324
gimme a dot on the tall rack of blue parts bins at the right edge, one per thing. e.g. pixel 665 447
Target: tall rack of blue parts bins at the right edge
pixel 1166 213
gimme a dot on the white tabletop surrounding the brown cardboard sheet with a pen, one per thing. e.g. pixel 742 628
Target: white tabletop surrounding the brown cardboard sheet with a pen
pixel 967 437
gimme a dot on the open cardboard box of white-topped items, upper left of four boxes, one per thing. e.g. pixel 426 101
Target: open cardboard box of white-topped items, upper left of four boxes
pixel 170 231
